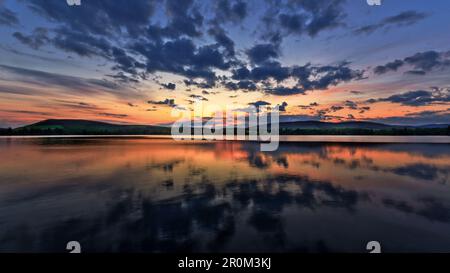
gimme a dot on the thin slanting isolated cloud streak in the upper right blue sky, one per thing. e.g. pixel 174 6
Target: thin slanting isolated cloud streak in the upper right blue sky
pixel 405 18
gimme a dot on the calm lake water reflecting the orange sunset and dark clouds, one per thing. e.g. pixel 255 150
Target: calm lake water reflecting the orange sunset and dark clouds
pixel 158 195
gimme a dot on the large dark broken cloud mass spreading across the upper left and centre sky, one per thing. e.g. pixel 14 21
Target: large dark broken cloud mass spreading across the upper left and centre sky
pixel 147 47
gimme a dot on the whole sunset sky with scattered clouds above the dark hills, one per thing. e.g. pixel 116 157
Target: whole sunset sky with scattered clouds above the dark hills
pixel 134 62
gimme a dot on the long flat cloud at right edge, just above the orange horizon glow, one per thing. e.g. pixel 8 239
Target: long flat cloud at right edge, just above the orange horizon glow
pixel 418 97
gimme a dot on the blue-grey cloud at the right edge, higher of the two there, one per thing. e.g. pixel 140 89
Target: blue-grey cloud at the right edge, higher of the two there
pixel 421 63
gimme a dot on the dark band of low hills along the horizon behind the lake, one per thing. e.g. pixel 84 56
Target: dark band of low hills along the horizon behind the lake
pixel 87 127
